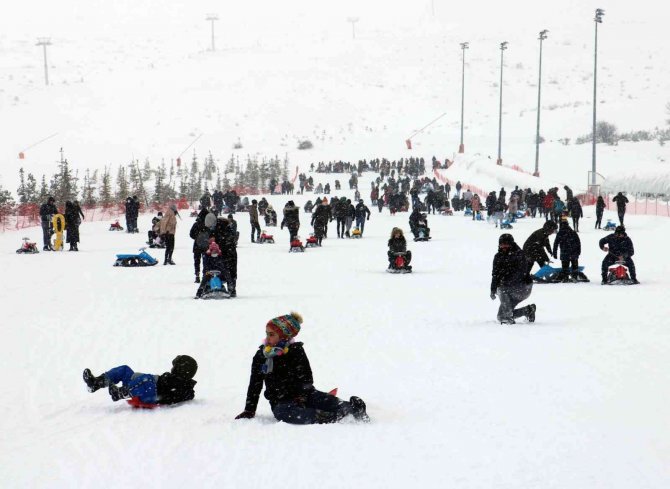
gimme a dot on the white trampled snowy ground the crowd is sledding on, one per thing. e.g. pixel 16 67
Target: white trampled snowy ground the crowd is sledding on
pixel 456 400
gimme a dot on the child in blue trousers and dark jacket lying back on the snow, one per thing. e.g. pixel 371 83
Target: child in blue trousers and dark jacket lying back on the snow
pixel 169 388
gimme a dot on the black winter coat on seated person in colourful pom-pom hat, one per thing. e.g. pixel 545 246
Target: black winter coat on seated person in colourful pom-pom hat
pixel 290 379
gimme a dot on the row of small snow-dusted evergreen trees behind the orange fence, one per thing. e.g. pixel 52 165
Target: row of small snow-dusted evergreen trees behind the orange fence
pixel 151 184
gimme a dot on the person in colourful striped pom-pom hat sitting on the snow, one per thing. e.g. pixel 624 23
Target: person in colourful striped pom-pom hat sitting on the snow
pixel 281 363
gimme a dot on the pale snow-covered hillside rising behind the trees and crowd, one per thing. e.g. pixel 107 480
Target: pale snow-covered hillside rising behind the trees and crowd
pixel 136 81
